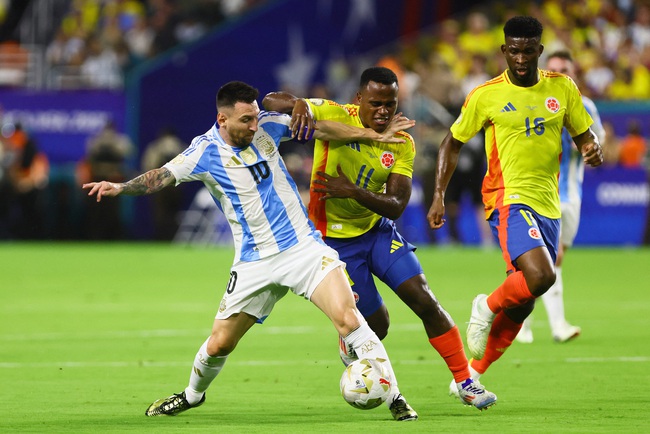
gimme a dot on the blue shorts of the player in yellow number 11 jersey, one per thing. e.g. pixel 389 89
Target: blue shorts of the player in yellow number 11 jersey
pixel 382 252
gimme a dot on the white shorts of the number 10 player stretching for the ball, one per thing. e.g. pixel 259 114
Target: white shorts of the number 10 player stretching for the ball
pixel 255 287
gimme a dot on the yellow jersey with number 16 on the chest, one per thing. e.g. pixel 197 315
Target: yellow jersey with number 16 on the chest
pixel 523 130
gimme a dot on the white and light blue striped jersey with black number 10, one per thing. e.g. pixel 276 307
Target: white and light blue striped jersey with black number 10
pixel 251 186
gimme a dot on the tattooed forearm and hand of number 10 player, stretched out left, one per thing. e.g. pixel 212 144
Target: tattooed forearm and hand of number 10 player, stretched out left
pixel 147 183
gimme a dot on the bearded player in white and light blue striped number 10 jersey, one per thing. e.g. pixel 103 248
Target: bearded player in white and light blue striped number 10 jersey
pixel 276 246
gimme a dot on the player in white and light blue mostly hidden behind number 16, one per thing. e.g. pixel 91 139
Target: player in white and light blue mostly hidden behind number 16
pixel 572 170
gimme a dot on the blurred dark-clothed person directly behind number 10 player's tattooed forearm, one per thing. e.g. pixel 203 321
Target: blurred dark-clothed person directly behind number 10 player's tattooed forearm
pixel 167 204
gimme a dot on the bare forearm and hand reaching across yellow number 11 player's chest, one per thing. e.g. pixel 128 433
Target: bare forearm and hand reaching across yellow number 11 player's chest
pixel 331 130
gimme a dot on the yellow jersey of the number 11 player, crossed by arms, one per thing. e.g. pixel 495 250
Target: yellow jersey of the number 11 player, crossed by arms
pixel 366 164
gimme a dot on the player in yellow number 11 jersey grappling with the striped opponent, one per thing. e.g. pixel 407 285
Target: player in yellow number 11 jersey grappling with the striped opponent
pixel 358 189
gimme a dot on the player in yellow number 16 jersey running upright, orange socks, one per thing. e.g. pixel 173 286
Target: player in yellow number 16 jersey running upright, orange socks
pixel 522 112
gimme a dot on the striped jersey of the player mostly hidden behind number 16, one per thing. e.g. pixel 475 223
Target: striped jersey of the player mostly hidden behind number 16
pixel 572 167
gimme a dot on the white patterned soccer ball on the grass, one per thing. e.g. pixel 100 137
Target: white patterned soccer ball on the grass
pixel 365 383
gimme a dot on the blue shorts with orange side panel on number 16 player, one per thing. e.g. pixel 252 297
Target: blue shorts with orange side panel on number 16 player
pixel 518 229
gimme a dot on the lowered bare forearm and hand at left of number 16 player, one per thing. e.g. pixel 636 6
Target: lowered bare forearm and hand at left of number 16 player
pixel 447 161
